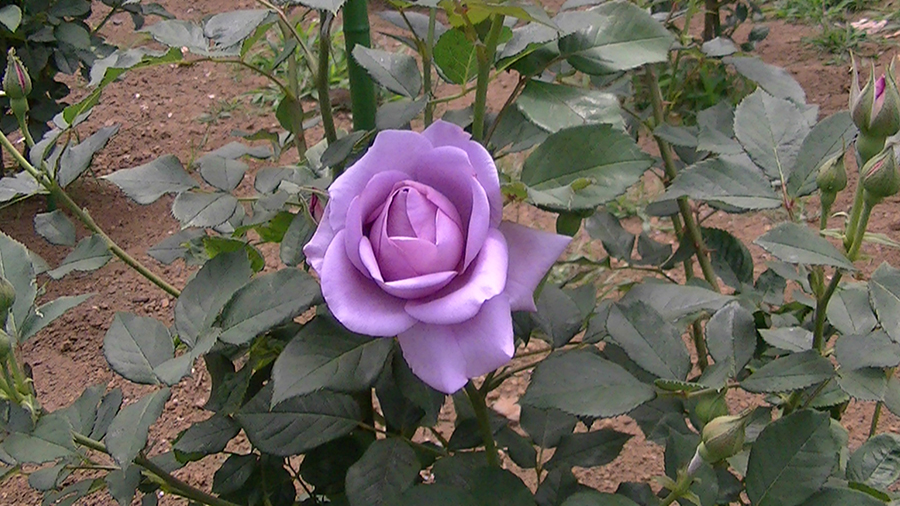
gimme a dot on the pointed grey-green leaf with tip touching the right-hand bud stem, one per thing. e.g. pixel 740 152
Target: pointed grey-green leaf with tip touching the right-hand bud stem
pixel 798 244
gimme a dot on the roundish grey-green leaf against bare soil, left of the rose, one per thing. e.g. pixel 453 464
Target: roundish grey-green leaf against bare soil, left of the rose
pixel 135 345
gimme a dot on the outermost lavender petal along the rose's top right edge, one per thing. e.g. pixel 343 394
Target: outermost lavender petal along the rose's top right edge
pixel 442 133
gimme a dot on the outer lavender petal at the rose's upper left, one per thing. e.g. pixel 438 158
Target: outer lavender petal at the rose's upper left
pixel 393 150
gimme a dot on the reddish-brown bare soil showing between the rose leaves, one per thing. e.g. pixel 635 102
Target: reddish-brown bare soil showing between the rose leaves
pixel 159 111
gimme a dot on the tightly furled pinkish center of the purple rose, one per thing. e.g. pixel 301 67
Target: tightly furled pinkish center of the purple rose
pixel 417 231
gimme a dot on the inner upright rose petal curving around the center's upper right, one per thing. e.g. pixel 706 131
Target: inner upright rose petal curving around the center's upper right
pixel 448 171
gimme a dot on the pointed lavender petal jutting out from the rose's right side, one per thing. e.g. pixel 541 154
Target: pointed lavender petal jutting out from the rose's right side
pixel 531 254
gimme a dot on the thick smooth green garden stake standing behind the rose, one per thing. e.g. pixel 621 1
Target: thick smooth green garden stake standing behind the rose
pixel 362 89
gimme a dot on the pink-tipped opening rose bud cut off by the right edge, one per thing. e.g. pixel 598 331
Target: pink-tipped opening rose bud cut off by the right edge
pixel 876 108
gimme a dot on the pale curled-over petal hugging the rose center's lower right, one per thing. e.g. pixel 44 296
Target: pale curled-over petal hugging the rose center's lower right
pixel 463 298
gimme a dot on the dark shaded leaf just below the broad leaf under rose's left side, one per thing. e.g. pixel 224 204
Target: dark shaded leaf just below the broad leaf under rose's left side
pixel 298 424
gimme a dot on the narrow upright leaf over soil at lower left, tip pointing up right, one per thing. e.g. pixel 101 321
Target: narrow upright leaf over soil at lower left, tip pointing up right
pixel 128 431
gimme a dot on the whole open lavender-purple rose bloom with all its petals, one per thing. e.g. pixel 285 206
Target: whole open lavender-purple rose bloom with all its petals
pixel 412 244
